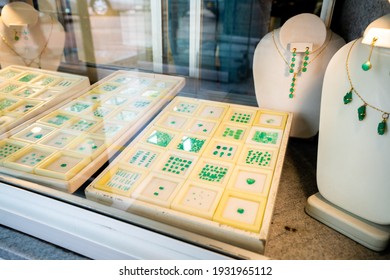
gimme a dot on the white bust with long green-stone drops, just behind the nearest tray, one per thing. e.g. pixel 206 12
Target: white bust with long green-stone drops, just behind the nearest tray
pixel 271 70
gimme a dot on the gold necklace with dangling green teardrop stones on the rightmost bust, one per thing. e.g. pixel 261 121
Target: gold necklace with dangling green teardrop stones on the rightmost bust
pixel 362 109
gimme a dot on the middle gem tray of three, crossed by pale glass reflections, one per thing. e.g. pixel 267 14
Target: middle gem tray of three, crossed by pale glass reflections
pixel 65 147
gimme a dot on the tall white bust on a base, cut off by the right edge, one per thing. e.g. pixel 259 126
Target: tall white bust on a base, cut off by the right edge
pixel 353 158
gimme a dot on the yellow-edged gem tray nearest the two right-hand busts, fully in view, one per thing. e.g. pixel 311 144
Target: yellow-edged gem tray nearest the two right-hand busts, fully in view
pixel 207 167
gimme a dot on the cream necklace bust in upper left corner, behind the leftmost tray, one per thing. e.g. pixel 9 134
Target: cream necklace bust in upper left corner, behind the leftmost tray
pixel 30 38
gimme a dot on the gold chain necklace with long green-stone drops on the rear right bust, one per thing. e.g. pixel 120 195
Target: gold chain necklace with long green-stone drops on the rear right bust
pixel 305 63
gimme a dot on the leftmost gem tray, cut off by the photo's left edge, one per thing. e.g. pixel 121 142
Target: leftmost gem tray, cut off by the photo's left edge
pixel 26 92
